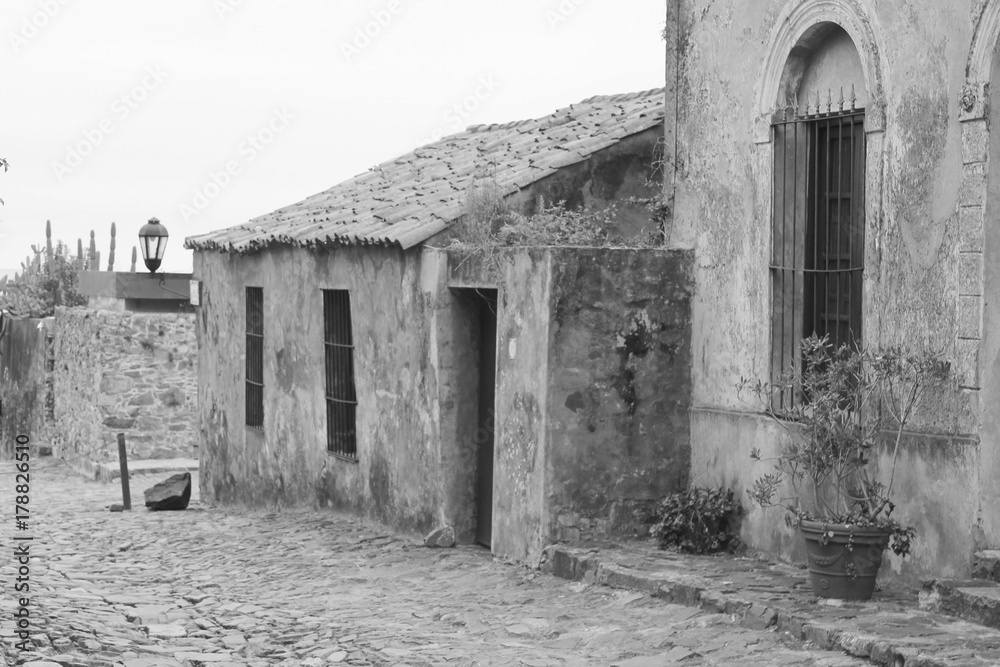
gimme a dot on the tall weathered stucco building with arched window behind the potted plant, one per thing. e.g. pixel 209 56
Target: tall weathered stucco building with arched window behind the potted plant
pixel 889 104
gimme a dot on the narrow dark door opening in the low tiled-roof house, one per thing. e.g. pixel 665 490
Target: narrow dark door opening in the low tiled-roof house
pixel 487 307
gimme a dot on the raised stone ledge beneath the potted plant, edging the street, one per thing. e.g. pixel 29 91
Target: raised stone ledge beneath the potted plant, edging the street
pixel 767 596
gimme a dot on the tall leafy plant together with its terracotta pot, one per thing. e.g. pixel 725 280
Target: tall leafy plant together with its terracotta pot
pixel 839 410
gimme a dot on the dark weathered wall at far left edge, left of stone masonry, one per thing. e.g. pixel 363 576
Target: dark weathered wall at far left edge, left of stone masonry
pixel 24 383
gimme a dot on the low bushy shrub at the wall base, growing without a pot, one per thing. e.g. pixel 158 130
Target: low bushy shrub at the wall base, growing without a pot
pixel 698 521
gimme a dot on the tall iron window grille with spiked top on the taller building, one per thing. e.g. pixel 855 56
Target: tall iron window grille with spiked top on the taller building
pixel 818 221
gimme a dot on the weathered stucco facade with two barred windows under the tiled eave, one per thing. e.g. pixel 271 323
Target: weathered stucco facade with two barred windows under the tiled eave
pixel 395 479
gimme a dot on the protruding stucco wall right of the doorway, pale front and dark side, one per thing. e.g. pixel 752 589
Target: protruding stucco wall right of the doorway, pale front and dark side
pixel 593 388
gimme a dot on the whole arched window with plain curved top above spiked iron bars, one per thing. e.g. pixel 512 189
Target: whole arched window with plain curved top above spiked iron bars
pixel 818 213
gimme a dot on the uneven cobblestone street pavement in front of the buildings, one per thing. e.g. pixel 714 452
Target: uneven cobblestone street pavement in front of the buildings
pixel 223 586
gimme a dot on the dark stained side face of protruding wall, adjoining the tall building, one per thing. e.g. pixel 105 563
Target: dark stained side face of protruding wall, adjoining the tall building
pixel 619 388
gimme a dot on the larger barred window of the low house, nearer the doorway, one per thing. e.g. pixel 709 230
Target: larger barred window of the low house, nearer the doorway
pixel 341 399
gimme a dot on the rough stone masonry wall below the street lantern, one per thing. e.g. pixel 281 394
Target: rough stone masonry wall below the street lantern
pixel 121 372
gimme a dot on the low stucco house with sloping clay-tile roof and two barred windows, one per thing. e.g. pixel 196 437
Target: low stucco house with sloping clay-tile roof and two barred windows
pixel 348 357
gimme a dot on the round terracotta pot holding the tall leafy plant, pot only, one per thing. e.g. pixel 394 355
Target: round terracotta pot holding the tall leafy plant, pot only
pixel 843 559
